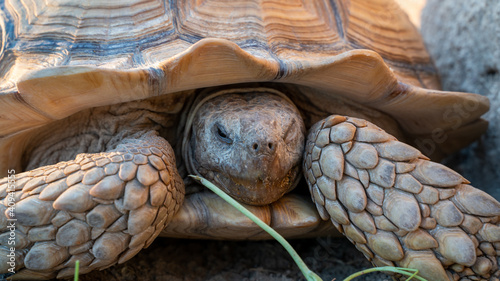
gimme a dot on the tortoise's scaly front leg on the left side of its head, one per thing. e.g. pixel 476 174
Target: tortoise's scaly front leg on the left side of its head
pixel 101 209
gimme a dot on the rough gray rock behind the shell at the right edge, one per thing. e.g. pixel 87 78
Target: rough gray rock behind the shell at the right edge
pixel 463 37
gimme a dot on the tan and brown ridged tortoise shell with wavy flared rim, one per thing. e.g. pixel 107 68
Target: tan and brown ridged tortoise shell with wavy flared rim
pixel 60 57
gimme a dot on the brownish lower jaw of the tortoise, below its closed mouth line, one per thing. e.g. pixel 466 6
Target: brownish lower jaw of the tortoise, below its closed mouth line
pixel 260 191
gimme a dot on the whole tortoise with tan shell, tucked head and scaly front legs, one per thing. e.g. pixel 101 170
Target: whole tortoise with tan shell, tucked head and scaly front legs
pixel 108 107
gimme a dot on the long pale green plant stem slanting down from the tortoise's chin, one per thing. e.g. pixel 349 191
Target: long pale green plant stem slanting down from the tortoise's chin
pixel 310 275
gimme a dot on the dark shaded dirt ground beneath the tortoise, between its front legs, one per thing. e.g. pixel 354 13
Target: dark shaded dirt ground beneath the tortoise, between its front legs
pixel 175 259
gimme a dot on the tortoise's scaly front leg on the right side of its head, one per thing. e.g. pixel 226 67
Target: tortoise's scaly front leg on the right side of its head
pixel 398 207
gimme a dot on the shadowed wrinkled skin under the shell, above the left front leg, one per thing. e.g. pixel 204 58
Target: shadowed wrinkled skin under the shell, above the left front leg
pixel 102 129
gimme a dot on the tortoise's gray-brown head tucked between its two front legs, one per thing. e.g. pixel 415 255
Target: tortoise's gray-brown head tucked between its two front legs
pixel 248 142
